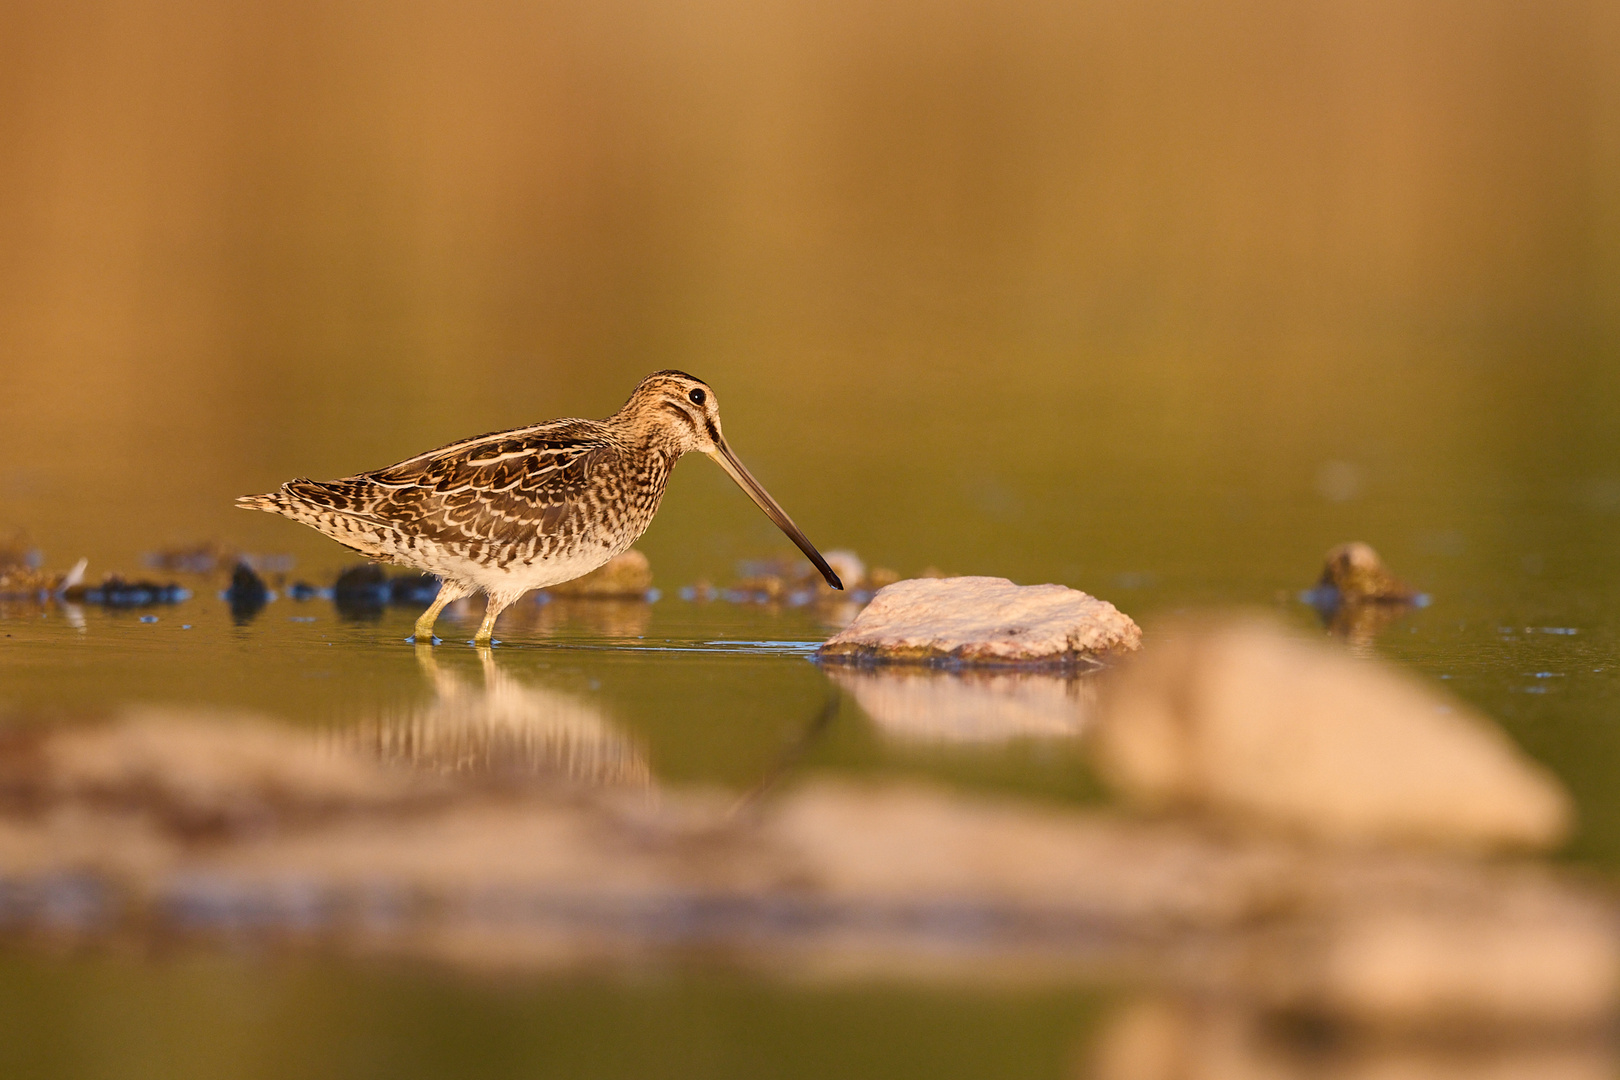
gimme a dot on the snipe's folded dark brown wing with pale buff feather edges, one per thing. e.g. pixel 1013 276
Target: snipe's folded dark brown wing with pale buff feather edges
pixel 503 487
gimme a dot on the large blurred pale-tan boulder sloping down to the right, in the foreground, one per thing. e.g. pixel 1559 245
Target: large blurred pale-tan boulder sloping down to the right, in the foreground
pixel 1243 720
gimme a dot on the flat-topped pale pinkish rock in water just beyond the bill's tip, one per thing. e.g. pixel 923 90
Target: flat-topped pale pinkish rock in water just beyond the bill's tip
pixel 983 621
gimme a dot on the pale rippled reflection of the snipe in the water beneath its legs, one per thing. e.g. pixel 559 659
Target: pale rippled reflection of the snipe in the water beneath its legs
pixel 500 726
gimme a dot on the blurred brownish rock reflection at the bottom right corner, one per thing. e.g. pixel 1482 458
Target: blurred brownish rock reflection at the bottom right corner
pixel 1182 1040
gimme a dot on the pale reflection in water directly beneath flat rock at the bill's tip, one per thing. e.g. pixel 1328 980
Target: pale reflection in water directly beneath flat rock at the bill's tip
pixel 924 705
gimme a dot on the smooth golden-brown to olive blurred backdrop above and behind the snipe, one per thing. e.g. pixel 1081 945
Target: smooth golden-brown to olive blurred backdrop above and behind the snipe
pixel 1054 291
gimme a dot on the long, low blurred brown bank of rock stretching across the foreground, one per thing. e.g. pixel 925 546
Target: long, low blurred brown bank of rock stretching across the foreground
pixel 164 825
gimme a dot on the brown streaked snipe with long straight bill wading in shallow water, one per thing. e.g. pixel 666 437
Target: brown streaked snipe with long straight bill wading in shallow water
pixel 524 509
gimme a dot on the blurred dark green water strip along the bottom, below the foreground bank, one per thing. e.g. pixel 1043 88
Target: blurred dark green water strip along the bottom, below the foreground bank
pixel 202 1018
